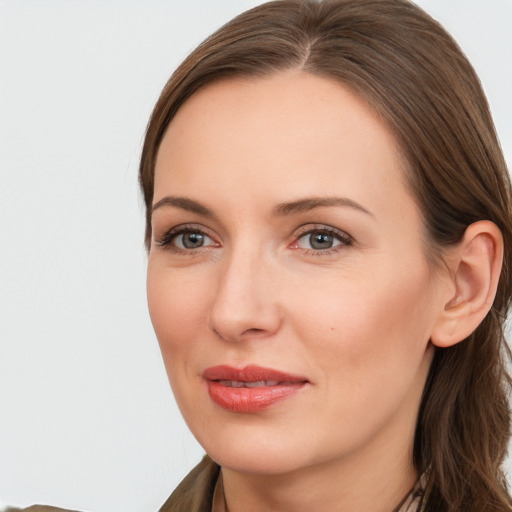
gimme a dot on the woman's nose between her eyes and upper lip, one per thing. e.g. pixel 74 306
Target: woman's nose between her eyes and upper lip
pixel 245 304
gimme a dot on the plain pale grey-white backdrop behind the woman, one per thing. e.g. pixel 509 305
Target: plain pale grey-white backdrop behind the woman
pixel 87 419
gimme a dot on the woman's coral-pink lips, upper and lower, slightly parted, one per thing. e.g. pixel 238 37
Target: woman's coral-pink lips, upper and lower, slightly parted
pixel 251 389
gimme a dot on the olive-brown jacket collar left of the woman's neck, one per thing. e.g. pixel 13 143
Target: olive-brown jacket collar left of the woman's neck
pixel 195 492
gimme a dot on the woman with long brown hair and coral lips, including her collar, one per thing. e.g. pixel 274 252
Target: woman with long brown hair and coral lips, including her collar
pixel 329 233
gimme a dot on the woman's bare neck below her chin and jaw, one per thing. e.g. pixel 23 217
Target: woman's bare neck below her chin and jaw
pixel 370 484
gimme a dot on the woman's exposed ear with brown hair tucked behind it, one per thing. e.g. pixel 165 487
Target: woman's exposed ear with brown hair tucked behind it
pixel 474 267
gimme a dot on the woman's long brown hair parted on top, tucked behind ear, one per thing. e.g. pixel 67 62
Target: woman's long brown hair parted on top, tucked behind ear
pixel 409 70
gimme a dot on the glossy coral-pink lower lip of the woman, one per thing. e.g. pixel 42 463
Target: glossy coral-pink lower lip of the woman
pixel 250 400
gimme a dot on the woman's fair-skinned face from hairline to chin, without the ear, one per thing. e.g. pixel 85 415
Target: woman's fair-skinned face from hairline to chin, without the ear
pixel 287 279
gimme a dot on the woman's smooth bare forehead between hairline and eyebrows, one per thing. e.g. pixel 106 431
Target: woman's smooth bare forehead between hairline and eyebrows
pixel 290 134
